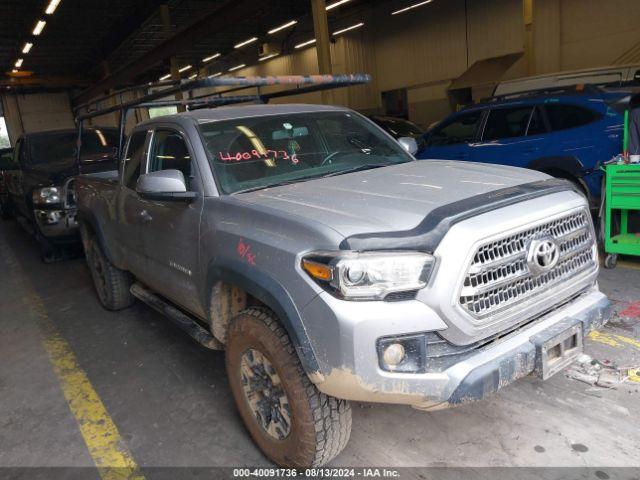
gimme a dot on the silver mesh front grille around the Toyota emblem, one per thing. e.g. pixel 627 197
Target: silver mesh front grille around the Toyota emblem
pixel 499 276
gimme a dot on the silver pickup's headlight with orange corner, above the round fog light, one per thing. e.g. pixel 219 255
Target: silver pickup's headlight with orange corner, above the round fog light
pixel 370 275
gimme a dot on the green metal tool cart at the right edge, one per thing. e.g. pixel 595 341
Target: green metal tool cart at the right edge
pixel 622 194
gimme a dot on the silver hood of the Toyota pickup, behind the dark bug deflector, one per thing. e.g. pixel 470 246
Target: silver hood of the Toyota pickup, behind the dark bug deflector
pixel 394 198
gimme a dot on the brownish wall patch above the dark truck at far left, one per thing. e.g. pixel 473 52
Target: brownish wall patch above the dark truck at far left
pixel 36 112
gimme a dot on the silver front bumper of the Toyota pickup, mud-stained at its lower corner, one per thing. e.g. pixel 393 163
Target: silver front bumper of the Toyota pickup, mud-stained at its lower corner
pixel 345 347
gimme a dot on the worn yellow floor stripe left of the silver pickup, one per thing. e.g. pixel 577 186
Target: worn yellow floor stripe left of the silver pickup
pixel 106 447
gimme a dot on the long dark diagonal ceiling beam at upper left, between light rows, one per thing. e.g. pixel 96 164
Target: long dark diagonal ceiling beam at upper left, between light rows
pixel 228 13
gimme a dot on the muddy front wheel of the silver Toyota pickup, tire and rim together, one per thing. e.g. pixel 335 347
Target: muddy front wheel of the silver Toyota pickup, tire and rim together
pixel 293 423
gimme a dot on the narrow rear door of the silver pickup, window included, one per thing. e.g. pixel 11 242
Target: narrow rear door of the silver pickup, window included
pixel 129 205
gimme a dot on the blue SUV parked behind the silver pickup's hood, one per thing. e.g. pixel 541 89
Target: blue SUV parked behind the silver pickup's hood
pixel 566 135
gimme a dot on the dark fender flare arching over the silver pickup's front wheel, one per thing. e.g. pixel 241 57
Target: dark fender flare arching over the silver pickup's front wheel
pixel 269 291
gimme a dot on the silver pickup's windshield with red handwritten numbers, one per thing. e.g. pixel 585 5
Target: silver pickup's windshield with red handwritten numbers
pixel 258 152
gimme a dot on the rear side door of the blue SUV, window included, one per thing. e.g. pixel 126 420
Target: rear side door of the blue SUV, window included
pixel 511 136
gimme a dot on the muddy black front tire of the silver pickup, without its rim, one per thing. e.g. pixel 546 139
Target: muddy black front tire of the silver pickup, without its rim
pixel 320 424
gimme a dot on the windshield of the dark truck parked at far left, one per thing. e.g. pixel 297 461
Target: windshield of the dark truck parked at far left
pixel 56 147
